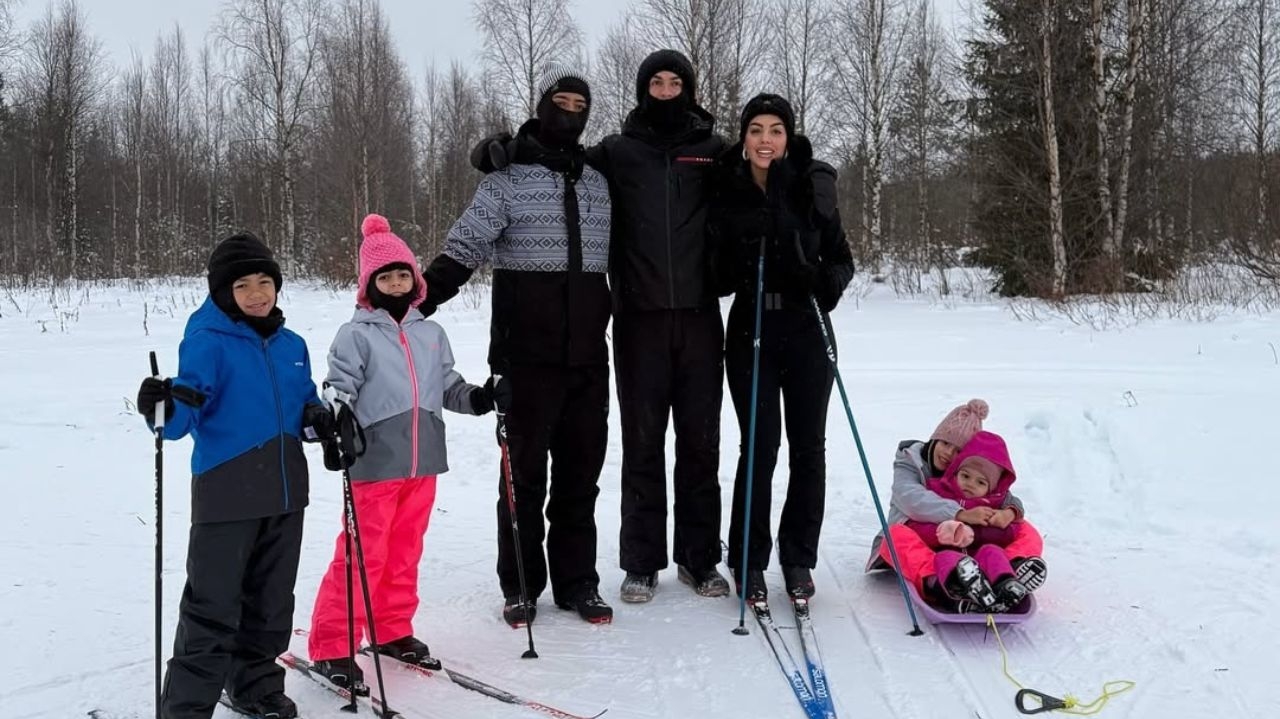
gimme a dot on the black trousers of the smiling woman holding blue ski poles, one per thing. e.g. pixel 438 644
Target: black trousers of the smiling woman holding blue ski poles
pixel 796 370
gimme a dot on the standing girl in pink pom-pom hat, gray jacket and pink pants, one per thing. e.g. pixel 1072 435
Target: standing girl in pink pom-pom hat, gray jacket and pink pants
pixel 395 368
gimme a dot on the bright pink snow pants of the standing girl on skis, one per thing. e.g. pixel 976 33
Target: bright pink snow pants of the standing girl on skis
pixel 394 516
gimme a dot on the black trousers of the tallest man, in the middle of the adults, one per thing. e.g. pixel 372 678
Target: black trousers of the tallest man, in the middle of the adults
pixel 670 364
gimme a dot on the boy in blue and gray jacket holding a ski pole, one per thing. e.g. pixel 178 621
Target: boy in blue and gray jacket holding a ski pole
pixel 245 395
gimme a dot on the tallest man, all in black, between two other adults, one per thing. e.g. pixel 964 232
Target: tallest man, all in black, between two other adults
pixel 668 329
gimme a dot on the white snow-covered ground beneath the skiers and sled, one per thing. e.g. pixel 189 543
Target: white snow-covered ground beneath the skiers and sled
pixel 1148 457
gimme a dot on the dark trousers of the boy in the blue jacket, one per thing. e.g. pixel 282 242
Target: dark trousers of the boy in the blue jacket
pixel 236 615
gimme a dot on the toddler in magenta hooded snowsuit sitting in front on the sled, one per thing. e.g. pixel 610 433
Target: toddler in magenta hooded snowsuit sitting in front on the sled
pixel 971 564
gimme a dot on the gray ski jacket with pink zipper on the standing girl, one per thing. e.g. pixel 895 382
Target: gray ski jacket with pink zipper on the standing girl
pixel 401 378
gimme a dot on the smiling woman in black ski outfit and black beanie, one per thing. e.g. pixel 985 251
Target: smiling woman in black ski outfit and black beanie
pixel 770 190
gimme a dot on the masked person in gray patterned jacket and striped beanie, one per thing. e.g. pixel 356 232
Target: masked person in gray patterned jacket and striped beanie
pixel 545 225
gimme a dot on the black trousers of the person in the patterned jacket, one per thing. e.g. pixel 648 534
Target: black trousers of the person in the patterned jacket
pixel 560 414
